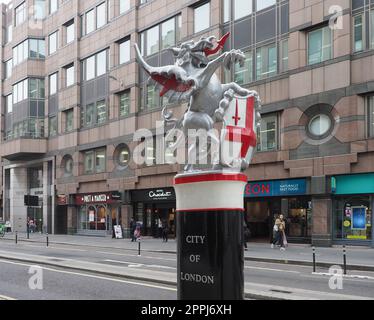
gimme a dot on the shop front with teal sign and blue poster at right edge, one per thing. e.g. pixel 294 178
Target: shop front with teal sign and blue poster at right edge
pixel 353 201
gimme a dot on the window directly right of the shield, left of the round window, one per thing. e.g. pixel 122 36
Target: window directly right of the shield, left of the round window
pixel 267 134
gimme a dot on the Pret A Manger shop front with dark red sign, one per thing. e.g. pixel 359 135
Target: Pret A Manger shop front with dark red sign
pixel 98 213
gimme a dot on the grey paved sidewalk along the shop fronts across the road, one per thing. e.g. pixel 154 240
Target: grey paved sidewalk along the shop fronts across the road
pixel 358 258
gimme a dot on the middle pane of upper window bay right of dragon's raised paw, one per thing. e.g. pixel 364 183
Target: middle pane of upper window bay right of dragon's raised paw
pixel 266 62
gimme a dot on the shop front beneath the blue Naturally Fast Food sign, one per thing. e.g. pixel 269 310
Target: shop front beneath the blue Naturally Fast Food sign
pixel 265 200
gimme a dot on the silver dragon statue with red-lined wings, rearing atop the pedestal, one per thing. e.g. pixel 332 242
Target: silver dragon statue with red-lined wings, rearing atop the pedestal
pixel 193 79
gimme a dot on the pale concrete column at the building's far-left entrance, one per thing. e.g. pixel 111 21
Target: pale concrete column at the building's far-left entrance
pixel 18 189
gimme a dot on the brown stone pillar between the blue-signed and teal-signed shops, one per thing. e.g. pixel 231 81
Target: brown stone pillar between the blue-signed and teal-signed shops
pixel 322 217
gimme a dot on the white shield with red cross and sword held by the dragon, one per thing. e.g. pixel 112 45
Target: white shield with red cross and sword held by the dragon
pixel 239 133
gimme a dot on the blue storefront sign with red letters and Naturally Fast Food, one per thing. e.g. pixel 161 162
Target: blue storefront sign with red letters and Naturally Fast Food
pixel 276 188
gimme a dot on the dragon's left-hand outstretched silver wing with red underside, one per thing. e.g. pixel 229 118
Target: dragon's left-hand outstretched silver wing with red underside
pixel 172 81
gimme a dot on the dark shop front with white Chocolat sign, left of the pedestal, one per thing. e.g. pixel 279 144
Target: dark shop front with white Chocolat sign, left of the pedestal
pixel 154 208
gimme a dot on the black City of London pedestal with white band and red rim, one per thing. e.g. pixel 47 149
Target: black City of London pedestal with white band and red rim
pixel 210 236
